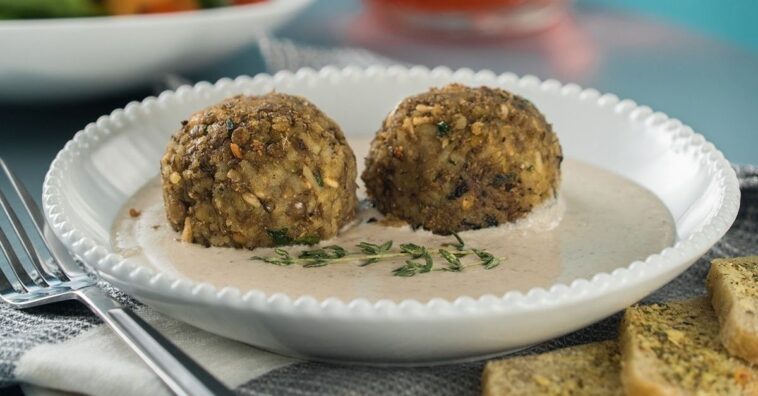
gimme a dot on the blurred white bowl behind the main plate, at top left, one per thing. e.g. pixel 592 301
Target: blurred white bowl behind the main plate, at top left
pixel 46 59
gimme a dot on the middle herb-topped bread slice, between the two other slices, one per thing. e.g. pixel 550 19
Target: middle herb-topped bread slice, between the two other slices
pixel 674 349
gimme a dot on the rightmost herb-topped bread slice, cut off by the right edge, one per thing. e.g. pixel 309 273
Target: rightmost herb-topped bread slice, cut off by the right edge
pixel 733 284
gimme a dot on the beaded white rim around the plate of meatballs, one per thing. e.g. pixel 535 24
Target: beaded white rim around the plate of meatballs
pixel 511 302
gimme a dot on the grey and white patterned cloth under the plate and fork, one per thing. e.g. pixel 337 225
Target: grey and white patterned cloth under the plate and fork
pixel 65 349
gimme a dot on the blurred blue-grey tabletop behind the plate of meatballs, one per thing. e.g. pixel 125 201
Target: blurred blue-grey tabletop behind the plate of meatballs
pixel 708 84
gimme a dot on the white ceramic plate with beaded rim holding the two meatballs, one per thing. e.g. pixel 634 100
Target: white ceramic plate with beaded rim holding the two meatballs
pixel 109 160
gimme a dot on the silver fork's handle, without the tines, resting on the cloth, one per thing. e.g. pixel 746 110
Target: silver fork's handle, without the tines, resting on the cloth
pixel 177 370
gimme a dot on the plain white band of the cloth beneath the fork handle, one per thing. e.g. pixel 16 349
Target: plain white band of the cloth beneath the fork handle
pixel 98 362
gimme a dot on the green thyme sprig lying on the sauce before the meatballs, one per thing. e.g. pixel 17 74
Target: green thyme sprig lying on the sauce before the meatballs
pixel 420 258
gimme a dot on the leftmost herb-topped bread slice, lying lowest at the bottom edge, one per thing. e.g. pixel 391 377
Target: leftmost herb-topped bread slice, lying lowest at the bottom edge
pixel 591 369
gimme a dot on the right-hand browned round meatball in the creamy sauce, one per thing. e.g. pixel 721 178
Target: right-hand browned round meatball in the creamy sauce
pixel 459 158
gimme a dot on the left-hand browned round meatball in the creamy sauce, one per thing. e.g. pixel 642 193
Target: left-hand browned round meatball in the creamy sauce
pixel 256 171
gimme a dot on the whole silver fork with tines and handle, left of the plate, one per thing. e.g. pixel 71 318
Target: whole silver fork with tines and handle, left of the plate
pixel 35 281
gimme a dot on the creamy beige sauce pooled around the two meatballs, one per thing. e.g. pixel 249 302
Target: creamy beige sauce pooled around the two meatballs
pixel 602 221
